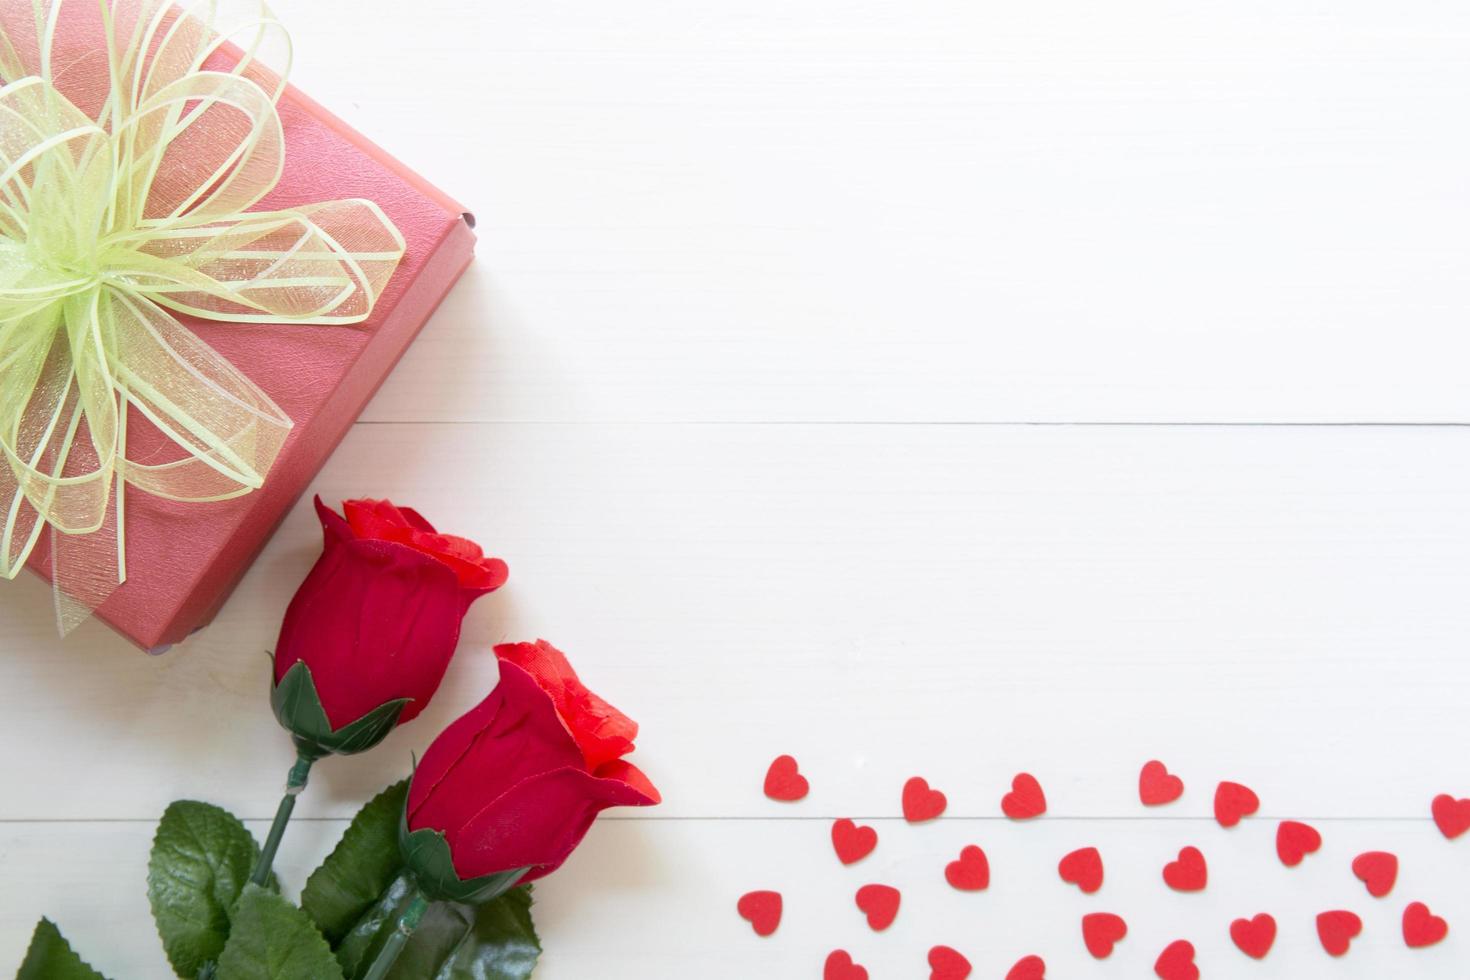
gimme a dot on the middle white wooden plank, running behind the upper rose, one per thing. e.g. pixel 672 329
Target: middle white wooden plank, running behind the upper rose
pixel 1277 606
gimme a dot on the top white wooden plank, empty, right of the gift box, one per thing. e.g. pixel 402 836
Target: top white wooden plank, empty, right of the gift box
pixel 934 211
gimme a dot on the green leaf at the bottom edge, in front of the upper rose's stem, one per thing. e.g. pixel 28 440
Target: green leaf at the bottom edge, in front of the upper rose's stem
pixel 273 940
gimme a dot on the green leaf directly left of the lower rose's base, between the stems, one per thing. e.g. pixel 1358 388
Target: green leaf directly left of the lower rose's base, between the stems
pixel 361 869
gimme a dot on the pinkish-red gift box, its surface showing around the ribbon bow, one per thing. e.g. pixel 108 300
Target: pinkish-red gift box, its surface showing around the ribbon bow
pixel 186 559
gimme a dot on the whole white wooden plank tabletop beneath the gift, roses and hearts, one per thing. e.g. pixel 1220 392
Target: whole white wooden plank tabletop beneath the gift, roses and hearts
pixel 934 389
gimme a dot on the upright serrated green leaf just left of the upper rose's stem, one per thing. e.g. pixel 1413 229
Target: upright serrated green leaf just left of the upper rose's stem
pixel 202 859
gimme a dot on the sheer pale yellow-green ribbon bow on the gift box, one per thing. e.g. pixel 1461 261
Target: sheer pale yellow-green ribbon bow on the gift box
pixel 136 136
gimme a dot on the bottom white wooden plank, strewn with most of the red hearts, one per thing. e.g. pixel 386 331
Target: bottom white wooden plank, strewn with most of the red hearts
pixel 658 898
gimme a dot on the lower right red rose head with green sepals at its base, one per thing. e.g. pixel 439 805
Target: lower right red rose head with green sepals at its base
pixel 508 791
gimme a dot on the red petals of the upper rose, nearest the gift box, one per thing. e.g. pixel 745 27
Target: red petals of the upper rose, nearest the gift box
pixel 379 616
